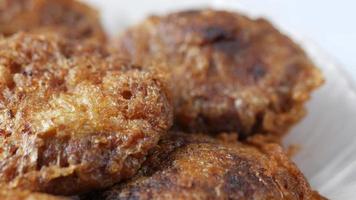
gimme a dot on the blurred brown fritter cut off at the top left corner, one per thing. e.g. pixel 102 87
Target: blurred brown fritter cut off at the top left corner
pixel 68 17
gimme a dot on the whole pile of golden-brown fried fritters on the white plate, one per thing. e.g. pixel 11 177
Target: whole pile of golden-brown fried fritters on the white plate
pixel 78 117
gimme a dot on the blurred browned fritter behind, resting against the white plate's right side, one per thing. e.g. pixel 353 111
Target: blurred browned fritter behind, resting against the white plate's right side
pixel 229 72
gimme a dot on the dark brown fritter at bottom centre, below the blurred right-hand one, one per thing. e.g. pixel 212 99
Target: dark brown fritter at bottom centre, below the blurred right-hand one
pixel 193 166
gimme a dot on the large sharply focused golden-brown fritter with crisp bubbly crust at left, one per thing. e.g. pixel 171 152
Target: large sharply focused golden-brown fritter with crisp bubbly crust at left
pixel 74 118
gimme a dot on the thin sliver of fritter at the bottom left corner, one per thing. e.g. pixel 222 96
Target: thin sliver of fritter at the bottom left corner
pixel 6 194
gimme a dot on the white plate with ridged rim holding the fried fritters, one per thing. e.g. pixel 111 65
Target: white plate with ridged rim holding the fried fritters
pixel 327 135
